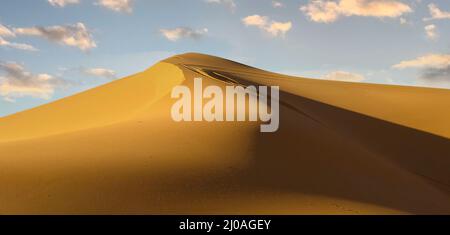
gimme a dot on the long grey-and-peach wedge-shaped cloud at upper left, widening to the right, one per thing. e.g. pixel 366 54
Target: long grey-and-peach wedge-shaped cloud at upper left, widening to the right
pixel 76 35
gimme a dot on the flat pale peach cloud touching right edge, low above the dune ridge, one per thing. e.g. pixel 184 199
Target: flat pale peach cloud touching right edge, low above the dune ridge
pixel 436 61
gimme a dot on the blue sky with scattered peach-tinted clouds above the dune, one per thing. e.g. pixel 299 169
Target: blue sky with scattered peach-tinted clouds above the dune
pixel 50 49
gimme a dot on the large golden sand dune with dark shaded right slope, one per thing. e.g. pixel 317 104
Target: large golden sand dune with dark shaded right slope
pixel 342 148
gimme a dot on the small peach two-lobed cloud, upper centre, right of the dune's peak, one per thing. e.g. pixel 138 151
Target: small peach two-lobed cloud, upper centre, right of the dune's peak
pixel 272 27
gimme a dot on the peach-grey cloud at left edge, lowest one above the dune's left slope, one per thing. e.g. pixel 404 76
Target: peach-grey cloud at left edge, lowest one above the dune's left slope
pixel 17 82
